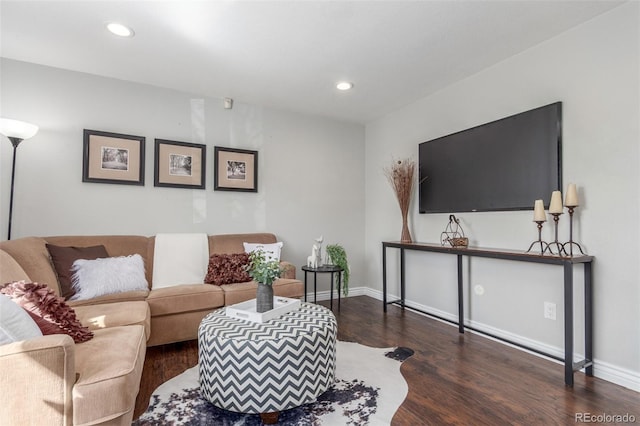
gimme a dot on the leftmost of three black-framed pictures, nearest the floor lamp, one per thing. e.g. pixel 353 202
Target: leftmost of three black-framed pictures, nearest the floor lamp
pixel 113 158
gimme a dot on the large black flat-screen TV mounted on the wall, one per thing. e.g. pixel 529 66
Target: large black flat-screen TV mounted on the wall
pixel 503 165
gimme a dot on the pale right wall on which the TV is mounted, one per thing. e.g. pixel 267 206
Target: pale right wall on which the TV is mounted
pixel 593 69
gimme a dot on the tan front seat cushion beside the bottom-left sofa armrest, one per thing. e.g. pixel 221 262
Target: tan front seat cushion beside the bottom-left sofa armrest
pixel 109 368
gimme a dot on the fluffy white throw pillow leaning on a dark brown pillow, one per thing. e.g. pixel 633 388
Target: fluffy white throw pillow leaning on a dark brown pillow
pixel 93 278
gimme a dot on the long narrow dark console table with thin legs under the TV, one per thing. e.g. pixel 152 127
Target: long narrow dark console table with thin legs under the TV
pixel 566 262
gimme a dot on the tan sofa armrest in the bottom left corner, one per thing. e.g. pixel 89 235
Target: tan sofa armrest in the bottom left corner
pixel 38 377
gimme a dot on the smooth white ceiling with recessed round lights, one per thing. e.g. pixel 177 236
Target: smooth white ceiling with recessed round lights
pixel 288 54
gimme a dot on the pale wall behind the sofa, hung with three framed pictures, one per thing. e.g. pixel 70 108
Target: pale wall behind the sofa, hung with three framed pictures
pixel 311 170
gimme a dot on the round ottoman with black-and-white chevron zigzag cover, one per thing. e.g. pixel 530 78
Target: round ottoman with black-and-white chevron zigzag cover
pixel 264 368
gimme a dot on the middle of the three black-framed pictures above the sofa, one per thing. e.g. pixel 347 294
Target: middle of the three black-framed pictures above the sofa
pixel 179 164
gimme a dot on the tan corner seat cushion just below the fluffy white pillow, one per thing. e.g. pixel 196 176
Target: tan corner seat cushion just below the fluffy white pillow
pixel 106 315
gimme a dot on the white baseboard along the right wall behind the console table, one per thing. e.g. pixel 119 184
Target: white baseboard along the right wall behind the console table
pixel 603 370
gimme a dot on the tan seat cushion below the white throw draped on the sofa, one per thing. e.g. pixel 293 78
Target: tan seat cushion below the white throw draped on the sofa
pixel 184 298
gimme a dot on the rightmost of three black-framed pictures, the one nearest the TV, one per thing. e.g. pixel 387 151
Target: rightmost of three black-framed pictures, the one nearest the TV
pixel 235 170
